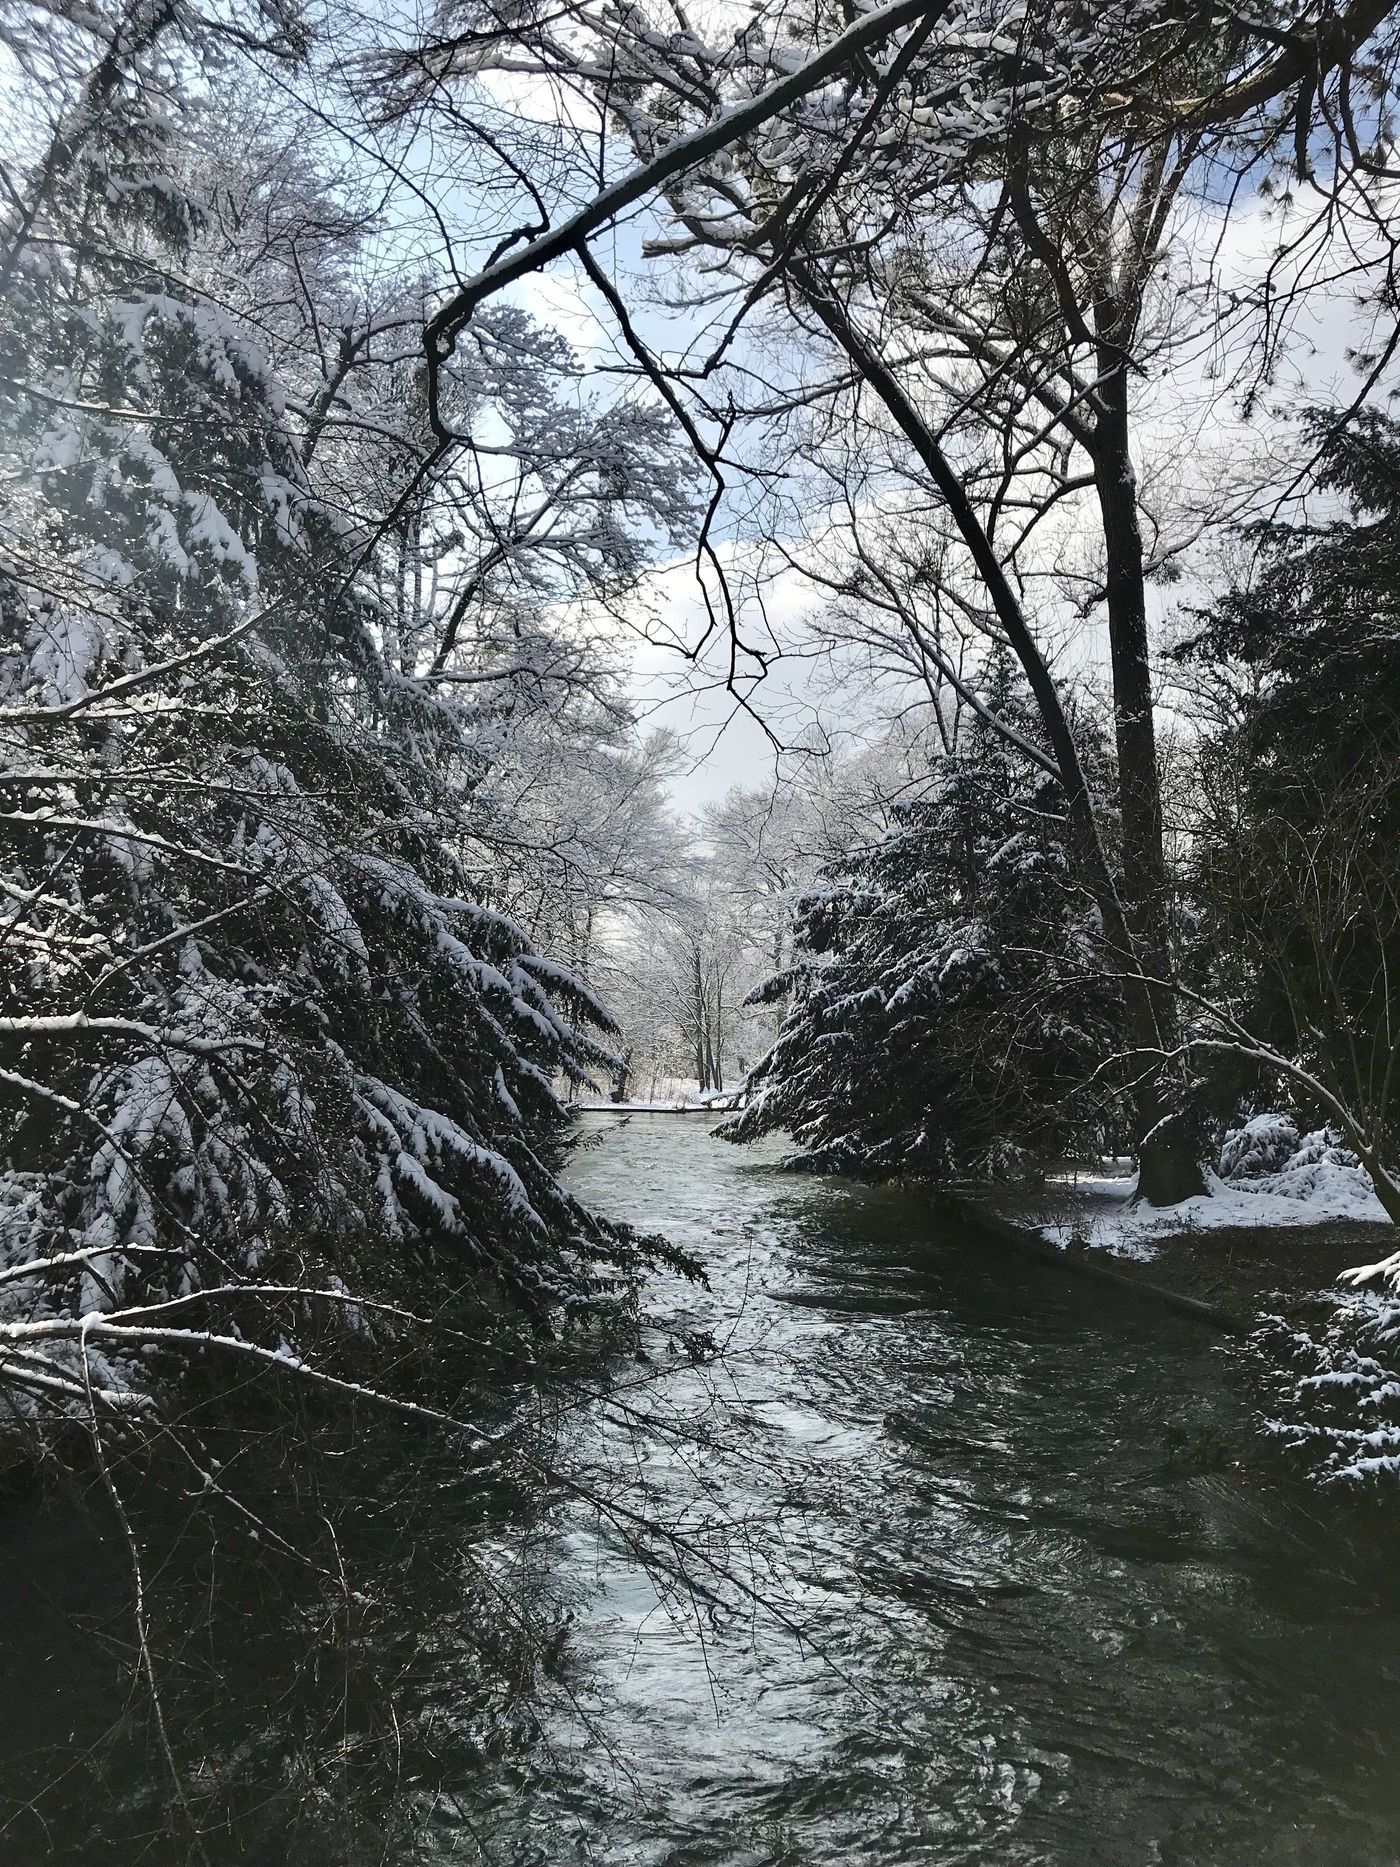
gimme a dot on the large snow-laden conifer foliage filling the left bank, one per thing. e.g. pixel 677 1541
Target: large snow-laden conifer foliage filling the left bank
pixel 255 989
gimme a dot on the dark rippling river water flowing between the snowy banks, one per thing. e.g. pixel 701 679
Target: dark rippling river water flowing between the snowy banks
pixel 947 1558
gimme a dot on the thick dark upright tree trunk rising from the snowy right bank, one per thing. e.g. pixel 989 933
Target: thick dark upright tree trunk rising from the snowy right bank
pixel 1169 1168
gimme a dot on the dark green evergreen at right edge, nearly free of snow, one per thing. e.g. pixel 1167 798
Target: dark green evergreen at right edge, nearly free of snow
pixel 1298 849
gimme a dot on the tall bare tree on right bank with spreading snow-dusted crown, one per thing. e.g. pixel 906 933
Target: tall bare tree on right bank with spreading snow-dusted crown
pixel 962 216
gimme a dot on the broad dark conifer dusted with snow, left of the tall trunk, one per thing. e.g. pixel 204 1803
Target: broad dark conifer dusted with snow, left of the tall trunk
pixel 947 1011
